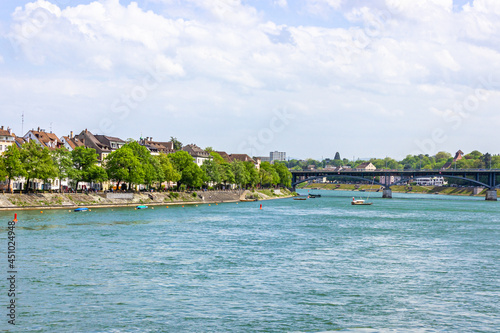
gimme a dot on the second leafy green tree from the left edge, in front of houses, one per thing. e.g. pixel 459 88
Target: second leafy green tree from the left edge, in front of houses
pixel 37 162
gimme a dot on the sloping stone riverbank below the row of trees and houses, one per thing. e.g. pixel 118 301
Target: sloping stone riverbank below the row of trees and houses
pixel 43 201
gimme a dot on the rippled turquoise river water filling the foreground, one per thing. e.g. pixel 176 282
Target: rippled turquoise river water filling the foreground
pixel 414 263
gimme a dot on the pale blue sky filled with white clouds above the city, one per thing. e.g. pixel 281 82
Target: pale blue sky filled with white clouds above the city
pixel 311 78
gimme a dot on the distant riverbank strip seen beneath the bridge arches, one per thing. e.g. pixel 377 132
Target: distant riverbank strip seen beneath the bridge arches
pixel 466 191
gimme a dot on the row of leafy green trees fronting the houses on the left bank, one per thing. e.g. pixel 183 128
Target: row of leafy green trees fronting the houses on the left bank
pixel 133 164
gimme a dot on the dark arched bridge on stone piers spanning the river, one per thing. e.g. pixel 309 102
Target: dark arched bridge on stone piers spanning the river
pixel 480 177
